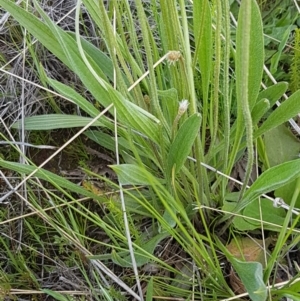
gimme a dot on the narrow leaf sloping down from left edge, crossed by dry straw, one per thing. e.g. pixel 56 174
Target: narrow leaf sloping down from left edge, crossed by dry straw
pixel 47 176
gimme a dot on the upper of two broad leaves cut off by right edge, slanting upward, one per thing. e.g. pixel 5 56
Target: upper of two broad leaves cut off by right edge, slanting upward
pixel 288 109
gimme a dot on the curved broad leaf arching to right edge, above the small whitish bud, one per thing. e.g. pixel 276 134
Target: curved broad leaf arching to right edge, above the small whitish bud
pixel 270 180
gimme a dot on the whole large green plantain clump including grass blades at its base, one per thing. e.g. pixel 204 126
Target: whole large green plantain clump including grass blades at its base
pixel 176 102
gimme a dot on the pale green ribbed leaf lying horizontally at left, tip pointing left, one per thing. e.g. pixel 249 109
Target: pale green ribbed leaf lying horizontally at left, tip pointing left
pixel 55 121
